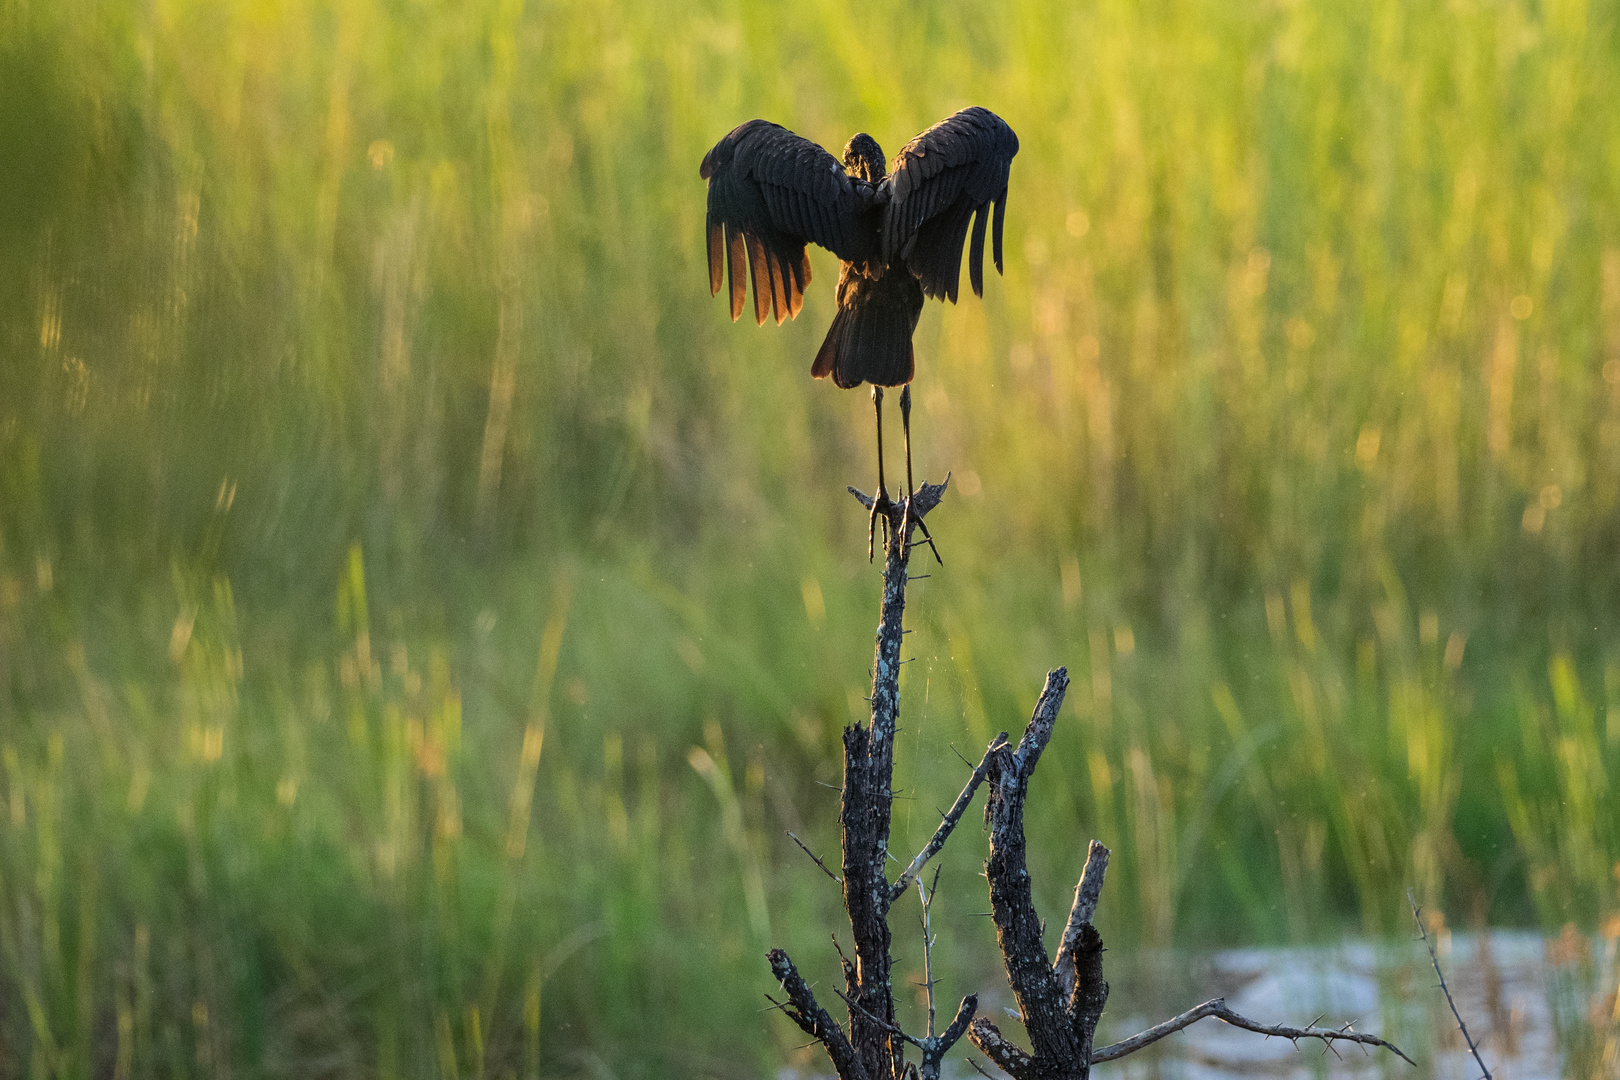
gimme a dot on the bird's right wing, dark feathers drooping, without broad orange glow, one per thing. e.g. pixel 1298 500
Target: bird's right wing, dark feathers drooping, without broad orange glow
pixel 940 181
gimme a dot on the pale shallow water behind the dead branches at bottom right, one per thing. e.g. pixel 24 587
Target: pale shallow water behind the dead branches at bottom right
pixel 1511 989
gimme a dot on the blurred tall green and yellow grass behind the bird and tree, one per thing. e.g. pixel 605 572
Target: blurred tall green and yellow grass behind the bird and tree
pixel 424 613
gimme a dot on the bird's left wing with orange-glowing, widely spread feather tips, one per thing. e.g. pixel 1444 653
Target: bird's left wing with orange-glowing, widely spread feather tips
pixel 778 192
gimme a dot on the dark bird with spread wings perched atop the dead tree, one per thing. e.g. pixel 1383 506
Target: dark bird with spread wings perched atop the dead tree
pixel 898 232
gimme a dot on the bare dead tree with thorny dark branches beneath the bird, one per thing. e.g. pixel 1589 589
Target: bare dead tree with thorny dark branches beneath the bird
pixel 1059 1000
